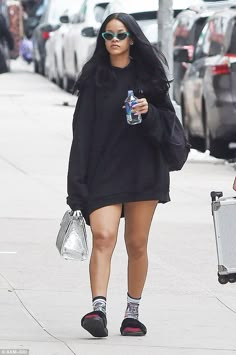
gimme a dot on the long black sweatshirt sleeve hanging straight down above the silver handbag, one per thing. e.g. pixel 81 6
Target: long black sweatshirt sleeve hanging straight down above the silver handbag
pixel 80 148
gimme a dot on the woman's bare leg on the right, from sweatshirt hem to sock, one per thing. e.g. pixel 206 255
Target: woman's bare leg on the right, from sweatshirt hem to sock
pixel 138 218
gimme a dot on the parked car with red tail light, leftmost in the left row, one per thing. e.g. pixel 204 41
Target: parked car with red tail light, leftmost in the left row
pixel 48 22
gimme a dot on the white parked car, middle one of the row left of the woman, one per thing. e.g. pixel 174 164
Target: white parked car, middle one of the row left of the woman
pixel 54 47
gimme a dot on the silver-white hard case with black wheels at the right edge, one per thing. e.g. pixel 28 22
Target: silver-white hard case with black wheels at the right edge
pixel 224 216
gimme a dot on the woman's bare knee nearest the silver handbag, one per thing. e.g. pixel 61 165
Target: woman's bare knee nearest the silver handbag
pixel 104 240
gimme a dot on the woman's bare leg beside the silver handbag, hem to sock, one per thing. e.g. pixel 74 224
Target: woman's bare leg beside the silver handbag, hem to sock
pixel 104 224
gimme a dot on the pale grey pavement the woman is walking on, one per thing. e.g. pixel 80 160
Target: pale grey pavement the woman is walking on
pixel 43 297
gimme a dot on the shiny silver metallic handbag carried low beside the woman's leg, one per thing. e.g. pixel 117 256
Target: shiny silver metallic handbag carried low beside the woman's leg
pixel 72 237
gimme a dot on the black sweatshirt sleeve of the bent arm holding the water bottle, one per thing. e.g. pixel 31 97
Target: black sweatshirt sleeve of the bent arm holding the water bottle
pixel 153 125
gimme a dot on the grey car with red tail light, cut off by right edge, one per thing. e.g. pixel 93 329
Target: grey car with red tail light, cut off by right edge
pixel 208 94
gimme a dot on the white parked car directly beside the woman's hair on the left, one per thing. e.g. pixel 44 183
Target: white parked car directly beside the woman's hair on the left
pixel 81 34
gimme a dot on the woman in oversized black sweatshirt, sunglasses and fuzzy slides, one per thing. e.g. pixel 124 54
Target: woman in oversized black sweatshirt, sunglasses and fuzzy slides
pixel 115 169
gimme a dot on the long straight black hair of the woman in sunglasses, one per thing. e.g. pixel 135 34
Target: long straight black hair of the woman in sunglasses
pixel 148 60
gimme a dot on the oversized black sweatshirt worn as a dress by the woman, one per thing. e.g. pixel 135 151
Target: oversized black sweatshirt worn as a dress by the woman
pixel 111 161
